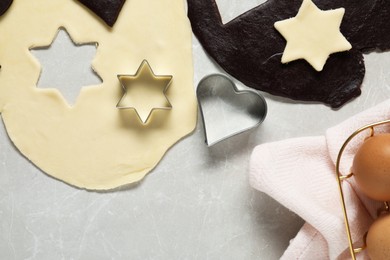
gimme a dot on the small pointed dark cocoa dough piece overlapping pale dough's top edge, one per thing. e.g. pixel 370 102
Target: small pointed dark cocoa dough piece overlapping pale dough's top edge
pixel 107 10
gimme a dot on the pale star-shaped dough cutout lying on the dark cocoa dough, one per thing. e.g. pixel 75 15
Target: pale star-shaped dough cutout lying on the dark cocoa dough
pixel 313 35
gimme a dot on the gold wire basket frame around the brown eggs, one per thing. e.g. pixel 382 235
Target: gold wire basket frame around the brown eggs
pixel 341 177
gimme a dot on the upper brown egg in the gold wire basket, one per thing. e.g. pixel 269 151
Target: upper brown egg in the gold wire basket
pixel 371 167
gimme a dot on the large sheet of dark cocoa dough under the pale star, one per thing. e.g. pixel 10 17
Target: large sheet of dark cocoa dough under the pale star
pixel 250 48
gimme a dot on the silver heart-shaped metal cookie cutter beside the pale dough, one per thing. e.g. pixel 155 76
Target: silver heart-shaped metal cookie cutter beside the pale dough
pixel 227 111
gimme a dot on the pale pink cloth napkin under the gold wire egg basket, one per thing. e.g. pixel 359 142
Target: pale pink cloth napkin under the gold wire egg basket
pixel 300 174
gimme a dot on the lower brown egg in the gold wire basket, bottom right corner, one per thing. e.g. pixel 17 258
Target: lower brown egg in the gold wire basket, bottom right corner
pixel 378 239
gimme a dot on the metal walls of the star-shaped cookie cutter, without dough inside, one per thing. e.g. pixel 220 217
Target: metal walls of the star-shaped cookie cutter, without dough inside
pixel 146 76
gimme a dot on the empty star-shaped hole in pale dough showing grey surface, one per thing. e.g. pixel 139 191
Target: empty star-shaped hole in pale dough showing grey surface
pixel 66 65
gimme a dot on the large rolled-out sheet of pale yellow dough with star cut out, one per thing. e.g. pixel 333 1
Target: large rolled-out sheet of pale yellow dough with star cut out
pixel 94 145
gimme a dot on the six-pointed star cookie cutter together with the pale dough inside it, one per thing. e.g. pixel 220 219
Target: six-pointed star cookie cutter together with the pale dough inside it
pixel 144 92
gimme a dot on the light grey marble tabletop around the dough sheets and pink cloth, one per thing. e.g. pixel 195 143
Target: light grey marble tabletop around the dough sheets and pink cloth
pixel 196 206
